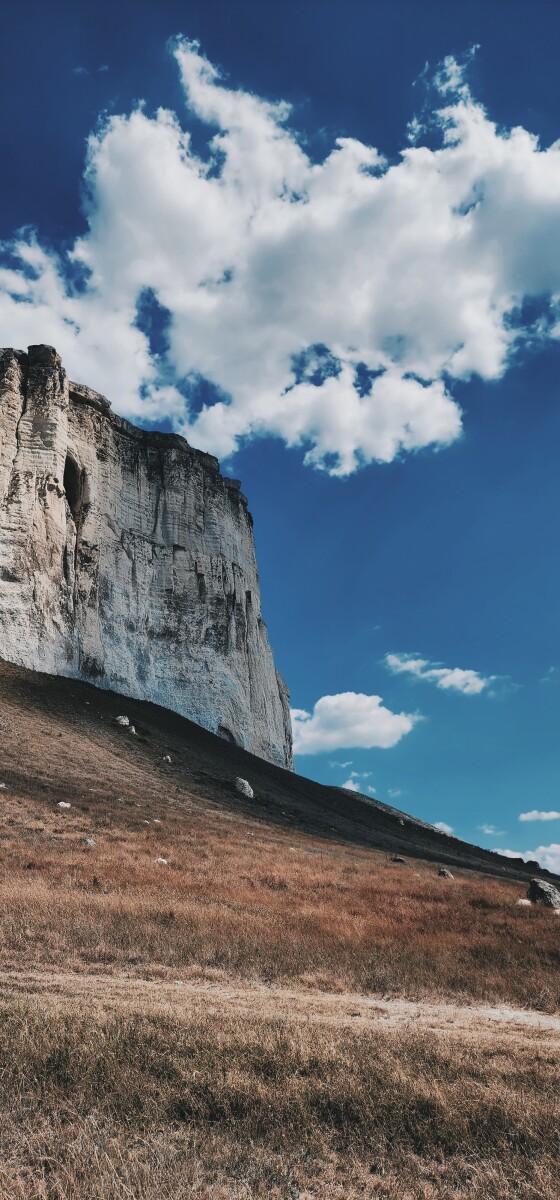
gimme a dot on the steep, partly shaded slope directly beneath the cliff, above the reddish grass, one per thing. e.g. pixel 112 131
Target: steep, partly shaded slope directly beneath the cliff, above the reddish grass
pixel 62 742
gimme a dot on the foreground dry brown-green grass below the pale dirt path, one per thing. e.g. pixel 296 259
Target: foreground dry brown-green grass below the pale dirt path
pixel 152 1108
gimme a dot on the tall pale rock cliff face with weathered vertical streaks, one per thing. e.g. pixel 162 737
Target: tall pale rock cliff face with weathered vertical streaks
pixel 128 560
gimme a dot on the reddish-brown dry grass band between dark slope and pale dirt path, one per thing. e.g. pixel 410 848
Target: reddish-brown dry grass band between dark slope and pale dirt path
pixel 263 908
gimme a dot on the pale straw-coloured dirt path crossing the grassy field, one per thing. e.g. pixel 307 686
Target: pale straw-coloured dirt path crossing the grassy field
pixel 188 998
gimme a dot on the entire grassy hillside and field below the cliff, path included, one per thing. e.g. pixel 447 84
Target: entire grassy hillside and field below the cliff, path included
pixel 208 997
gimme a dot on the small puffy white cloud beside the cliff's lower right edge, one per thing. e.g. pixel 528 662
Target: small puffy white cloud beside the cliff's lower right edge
pixel 350 719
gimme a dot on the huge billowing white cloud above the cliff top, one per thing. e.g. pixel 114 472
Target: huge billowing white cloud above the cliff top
pixel 332 304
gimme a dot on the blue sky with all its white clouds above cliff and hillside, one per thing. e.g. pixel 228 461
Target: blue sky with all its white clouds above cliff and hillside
pixel 335 261
